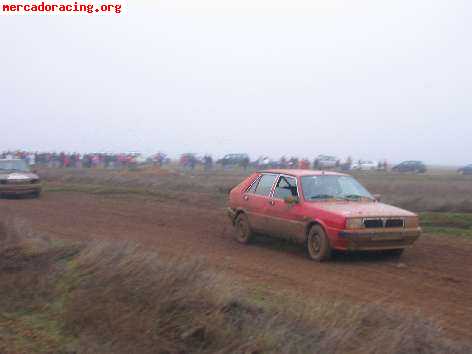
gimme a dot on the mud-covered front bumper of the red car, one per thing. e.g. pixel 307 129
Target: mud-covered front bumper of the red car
pixel 362 240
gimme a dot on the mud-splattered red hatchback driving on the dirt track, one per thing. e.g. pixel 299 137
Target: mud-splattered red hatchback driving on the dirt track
pixel 325 211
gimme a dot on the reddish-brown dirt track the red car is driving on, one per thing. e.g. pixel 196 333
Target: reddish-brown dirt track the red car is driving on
pixel 435 277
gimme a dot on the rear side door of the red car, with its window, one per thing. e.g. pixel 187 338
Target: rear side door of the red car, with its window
pixel 256 200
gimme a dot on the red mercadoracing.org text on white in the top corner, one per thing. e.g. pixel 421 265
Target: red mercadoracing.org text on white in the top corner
pixel 58 7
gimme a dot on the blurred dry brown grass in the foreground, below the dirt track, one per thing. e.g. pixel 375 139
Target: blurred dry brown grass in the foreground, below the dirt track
pixel 118 298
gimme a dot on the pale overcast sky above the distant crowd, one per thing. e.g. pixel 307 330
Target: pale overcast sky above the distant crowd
pixel 368 78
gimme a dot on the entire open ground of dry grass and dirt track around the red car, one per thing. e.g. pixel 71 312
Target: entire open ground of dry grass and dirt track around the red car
pixel 145 261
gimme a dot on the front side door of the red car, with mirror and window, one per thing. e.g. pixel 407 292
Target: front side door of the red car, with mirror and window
pixel 285 220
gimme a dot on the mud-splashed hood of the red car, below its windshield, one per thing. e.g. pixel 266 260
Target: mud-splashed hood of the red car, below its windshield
pixel 361 209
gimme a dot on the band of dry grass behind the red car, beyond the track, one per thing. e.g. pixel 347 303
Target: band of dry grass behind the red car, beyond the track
pixel 446 192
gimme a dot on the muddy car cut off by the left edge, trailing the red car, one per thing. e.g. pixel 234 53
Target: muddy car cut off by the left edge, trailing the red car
pixel 16 178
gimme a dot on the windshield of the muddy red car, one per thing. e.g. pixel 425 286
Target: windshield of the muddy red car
pixel 333 187
